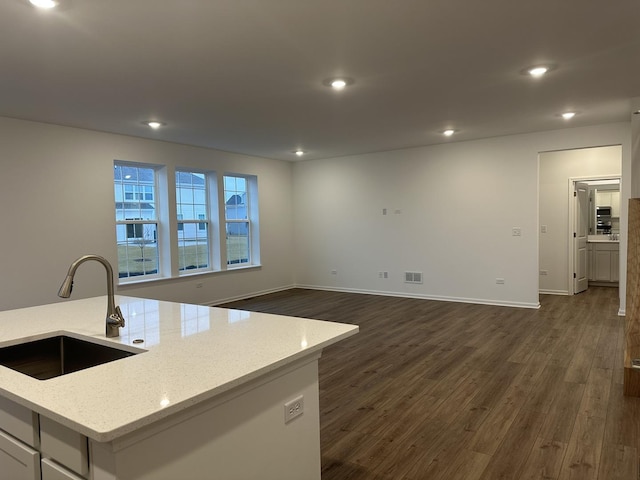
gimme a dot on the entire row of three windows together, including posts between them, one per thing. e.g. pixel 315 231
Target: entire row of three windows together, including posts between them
pixel 159 238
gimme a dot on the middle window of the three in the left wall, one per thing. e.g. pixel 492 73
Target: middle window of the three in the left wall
pixel 192 206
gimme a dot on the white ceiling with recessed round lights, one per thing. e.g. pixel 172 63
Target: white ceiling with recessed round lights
pixel 246 75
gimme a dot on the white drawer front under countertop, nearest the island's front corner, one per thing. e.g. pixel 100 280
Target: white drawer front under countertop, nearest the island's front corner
pixel 64 445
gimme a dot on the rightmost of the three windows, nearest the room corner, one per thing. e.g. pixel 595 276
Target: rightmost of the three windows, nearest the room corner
pixel 238 226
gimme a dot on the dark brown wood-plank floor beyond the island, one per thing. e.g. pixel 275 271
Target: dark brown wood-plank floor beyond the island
pixel 438 390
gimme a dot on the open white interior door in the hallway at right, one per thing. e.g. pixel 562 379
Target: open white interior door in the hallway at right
pixel 581 229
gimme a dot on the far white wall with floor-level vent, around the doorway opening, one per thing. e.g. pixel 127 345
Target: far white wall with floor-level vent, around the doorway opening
pixel 458 204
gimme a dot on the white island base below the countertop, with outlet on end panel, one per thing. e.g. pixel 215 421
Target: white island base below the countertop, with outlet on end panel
pixel 237 435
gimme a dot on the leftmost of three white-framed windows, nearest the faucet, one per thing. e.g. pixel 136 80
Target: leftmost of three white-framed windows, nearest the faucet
pixel 136 220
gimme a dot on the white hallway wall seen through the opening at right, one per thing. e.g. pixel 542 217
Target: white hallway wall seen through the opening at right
pixel 556 168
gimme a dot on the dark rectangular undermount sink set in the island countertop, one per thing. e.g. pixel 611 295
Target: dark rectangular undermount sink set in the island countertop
pixel 55 356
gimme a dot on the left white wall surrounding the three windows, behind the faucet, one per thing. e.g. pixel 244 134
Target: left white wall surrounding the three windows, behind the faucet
pixel 56 192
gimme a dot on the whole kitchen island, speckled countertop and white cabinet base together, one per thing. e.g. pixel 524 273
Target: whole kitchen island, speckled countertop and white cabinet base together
pixel 205 398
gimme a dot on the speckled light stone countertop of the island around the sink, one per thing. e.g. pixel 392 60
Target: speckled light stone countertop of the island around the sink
pixel 192 353
